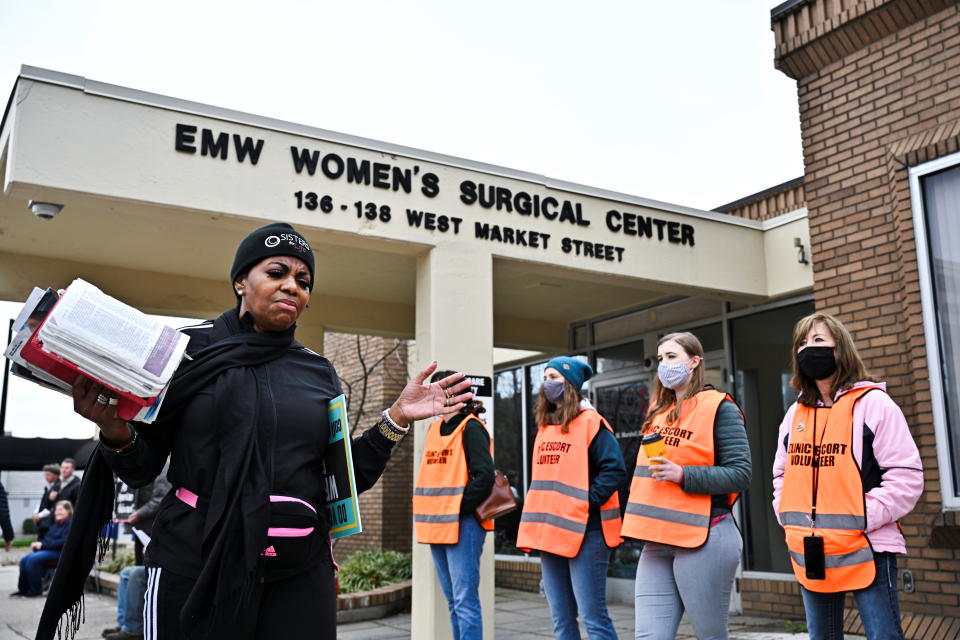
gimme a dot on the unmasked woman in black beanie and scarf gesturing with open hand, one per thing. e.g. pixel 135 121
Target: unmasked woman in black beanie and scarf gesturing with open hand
pixel 240 546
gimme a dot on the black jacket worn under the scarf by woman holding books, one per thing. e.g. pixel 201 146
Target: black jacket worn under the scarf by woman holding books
pixel 301 383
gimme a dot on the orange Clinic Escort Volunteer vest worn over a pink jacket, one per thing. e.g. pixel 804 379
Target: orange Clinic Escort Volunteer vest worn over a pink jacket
pixel 823 437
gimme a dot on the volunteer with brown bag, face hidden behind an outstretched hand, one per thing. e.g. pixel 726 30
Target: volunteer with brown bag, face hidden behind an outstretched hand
pixel 456 475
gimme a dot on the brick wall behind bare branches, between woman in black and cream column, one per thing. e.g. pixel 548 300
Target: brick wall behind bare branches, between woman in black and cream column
pixel 372 372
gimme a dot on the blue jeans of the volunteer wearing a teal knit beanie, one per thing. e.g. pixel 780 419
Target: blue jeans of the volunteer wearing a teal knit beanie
pixel 579 584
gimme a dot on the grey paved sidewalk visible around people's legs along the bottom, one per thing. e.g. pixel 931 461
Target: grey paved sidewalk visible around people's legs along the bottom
pixel 519 616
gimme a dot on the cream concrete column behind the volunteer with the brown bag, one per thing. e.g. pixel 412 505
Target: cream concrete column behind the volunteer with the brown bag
pixel 454 325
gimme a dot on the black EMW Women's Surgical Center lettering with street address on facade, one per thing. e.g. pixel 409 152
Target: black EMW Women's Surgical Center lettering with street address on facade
pixel 505 211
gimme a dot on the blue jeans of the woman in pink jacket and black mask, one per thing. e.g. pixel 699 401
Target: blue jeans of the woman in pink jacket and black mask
pixel 878 604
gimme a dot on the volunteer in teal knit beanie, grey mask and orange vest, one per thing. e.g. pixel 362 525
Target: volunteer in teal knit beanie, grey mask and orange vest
pixel 572 511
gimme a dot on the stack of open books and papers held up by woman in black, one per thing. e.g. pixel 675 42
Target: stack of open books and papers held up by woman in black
pixel 86 332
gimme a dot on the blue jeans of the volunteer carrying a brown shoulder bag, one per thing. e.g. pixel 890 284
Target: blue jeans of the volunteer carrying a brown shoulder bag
pixel 458 569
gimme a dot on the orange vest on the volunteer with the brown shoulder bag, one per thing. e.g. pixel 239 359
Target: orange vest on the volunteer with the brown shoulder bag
pixel 440 483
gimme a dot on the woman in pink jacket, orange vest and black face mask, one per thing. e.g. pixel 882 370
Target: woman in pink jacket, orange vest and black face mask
pixel 853 470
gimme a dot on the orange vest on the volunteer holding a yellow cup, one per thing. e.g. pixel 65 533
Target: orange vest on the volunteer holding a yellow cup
pixel 662 511
